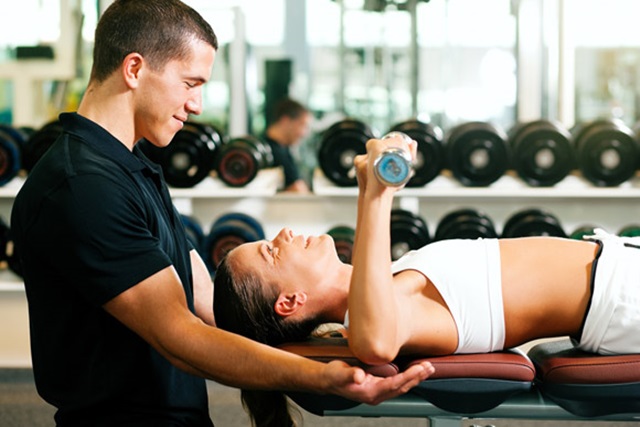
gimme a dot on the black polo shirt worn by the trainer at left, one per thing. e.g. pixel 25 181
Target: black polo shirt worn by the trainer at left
pixel 92 220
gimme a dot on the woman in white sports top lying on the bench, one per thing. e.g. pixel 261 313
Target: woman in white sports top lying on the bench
pixel 452 296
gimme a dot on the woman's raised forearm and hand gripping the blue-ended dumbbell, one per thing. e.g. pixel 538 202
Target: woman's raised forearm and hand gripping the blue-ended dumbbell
pixel 373 308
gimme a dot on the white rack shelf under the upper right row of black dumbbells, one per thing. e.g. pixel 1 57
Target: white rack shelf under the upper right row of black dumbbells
pixel 574 200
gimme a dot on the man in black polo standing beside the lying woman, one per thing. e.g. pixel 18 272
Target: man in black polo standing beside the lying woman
pixel 120 304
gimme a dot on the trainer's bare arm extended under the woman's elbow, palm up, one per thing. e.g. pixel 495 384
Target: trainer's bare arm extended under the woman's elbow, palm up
pixel 156 310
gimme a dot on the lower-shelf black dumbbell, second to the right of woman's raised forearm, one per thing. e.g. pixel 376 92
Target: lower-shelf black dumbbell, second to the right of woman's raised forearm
pixel 466 223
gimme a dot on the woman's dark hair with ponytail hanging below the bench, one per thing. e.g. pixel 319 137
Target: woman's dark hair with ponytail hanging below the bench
pixel 245 306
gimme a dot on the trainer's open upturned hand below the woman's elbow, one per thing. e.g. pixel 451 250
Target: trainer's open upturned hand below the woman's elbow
pixel 355 384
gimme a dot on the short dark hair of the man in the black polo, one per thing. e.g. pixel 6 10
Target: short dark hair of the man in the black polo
pixel 159 30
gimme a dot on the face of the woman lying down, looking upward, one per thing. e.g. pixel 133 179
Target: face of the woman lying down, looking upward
pixel 293 262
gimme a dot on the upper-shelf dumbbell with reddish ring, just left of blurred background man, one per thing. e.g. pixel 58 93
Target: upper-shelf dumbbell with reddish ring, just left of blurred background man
pixel 241 158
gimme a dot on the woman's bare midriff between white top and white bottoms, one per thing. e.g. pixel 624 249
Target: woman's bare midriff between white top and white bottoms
pixel 545 286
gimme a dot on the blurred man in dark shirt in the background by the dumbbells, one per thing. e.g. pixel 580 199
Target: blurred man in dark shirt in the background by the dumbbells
pixel 290 124
